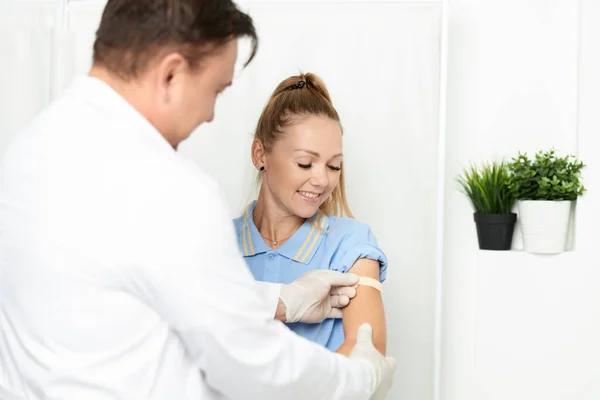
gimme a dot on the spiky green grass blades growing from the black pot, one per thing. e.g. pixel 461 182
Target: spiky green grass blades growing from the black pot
pixel 487 187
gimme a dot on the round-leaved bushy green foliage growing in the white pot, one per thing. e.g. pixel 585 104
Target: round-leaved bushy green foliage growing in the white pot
pixel 547 177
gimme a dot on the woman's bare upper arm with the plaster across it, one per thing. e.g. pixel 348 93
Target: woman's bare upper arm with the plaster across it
pixel 367 306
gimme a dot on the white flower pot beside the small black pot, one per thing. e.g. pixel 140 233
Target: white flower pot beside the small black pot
pixel 544 225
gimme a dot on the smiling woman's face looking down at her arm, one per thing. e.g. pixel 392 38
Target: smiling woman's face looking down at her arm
pixel 303 167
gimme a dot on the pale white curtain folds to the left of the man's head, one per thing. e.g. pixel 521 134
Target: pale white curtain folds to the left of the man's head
pixel 43 48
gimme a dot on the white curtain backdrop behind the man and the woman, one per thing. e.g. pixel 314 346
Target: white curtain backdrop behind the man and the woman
pixel 381 61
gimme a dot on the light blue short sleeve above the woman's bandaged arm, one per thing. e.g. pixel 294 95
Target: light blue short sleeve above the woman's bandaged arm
pixel 361 244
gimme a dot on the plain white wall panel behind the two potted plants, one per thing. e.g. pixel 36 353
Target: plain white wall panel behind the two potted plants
pixel 522 75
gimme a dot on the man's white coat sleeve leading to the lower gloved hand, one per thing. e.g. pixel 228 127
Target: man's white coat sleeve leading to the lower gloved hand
pixel 196 279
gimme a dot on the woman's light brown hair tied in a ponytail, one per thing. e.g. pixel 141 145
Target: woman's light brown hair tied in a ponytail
pixel 300 96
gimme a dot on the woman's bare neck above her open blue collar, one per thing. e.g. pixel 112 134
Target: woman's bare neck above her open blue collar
pixel 274 224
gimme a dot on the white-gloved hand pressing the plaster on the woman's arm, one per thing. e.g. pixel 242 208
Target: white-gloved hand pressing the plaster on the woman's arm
pixel 317 295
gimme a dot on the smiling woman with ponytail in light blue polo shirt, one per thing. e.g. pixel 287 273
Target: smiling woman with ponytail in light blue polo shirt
pixel 301 220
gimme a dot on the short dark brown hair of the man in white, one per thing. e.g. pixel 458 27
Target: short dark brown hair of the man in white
pixel 132 32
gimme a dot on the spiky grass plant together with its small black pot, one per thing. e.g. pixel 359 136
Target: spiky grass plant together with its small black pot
pixel 487 188
